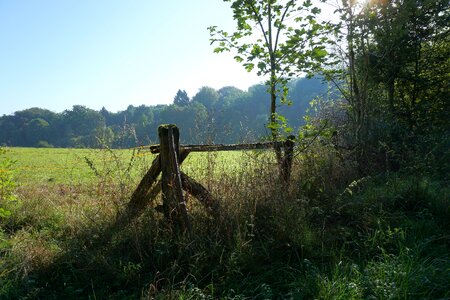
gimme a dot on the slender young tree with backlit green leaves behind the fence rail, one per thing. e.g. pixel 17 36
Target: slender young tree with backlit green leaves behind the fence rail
pixel 282 39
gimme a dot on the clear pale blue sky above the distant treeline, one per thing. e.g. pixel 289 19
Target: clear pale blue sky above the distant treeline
pixel 58 53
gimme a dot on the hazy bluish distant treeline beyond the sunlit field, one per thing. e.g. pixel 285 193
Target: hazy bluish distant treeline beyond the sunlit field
pixel 222 116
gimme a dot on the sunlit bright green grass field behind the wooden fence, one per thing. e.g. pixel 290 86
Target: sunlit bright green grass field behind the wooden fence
pixel 77 166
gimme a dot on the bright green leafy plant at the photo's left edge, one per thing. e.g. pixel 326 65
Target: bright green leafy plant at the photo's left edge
pixel 7 185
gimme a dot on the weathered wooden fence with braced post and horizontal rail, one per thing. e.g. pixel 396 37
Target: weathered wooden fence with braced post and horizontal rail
pixel 173 181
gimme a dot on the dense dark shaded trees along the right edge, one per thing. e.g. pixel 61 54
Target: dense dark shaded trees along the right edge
pixel 395 74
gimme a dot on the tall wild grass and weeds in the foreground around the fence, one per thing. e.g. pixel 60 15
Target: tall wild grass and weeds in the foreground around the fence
pixel 330 235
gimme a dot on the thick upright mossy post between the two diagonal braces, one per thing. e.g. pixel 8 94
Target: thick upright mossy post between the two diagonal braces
pixel 174 203
